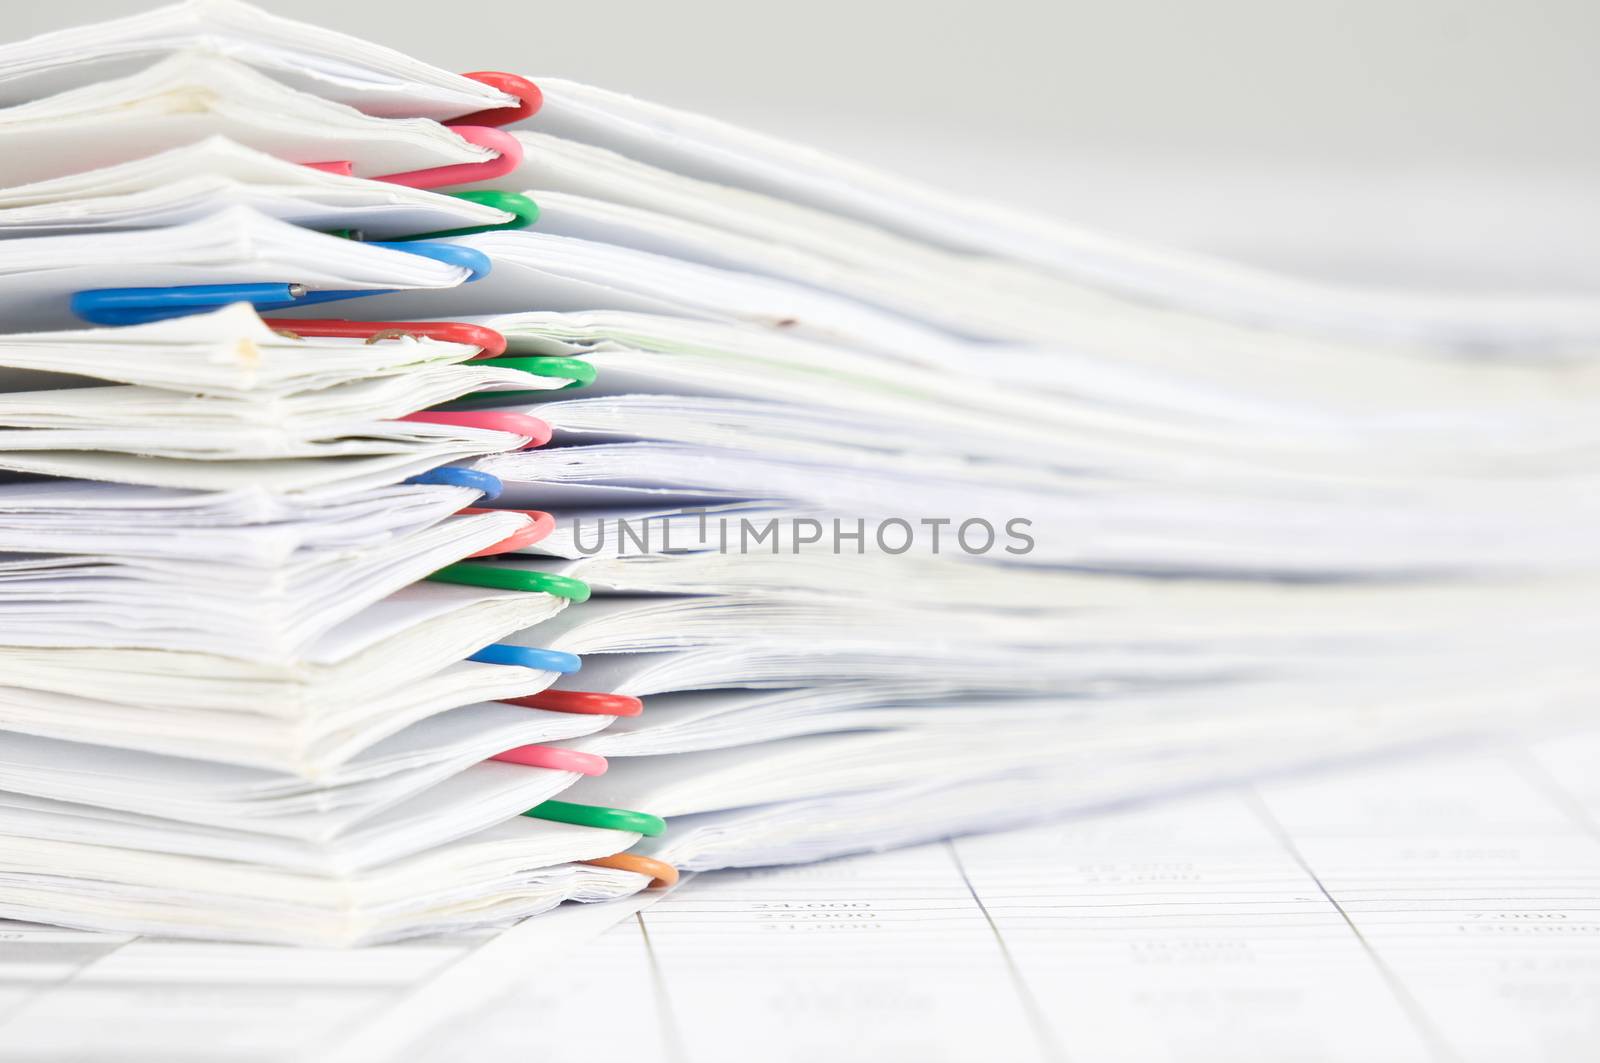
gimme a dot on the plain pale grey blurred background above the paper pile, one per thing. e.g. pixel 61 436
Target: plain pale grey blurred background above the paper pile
pixel 1382 143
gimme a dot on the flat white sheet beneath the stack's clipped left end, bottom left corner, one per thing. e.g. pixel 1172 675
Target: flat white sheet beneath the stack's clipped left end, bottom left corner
pixel 71 995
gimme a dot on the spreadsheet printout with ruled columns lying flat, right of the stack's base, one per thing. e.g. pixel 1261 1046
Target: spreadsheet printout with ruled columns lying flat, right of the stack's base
pixel 1430 909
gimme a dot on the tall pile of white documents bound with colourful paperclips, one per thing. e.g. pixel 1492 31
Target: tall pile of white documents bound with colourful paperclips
pixel 428 499
